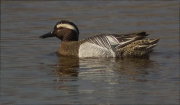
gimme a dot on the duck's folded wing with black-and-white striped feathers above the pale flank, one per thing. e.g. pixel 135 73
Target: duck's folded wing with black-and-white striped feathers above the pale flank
pixel 110 41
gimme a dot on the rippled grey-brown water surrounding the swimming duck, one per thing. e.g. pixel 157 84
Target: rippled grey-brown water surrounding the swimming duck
pixel 32 73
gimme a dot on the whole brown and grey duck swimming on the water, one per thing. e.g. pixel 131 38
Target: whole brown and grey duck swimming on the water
pixel 102 45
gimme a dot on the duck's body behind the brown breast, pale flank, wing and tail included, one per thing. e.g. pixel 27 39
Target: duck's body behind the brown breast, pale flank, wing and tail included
pixel 112 45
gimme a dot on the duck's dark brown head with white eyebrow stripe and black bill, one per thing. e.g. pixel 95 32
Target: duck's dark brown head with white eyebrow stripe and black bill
pixel 64 30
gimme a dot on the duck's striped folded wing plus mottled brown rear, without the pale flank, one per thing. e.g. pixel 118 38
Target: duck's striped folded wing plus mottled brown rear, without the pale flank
pixel 124 45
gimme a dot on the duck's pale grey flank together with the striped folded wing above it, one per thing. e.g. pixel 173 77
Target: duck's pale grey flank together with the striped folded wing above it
pixel 107 44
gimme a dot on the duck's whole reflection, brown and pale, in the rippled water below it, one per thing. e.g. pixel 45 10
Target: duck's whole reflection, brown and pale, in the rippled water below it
pixel 94 75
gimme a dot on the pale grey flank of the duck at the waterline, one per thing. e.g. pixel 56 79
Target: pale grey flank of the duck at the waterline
pixel 93 50
